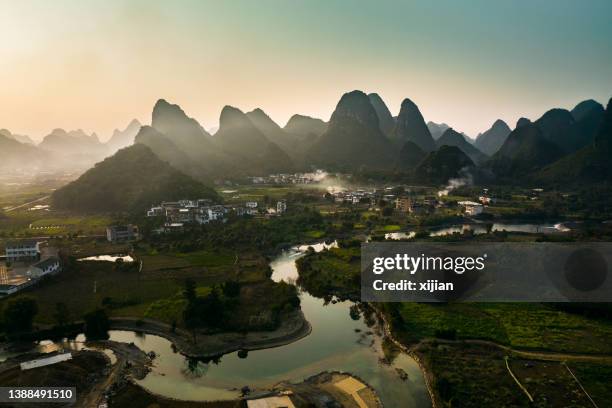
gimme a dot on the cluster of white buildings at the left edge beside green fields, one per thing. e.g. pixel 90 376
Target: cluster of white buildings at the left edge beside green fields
pixel 24 265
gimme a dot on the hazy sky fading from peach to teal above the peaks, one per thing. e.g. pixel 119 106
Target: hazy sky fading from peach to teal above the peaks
pixel 96 65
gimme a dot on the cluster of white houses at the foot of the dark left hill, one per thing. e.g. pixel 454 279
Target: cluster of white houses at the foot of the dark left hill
pixel 202 211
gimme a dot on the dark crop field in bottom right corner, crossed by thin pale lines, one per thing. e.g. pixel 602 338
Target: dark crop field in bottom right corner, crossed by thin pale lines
pixel 469 373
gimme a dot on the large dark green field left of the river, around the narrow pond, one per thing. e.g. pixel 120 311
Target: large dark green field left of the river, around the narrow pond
pixel 156 291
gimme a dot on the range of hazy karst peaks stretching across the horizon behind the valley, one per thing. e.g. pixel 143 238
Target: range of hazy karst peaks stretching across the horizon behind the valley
pixel 362 135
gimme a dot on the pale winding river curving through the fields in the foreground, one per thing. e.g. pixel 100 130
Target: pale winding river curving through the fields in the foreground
pixel 337 343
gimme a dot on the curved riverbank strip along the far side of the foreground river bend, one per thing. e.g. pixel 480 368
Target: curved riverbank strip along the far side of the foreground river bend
pixel 293 327
